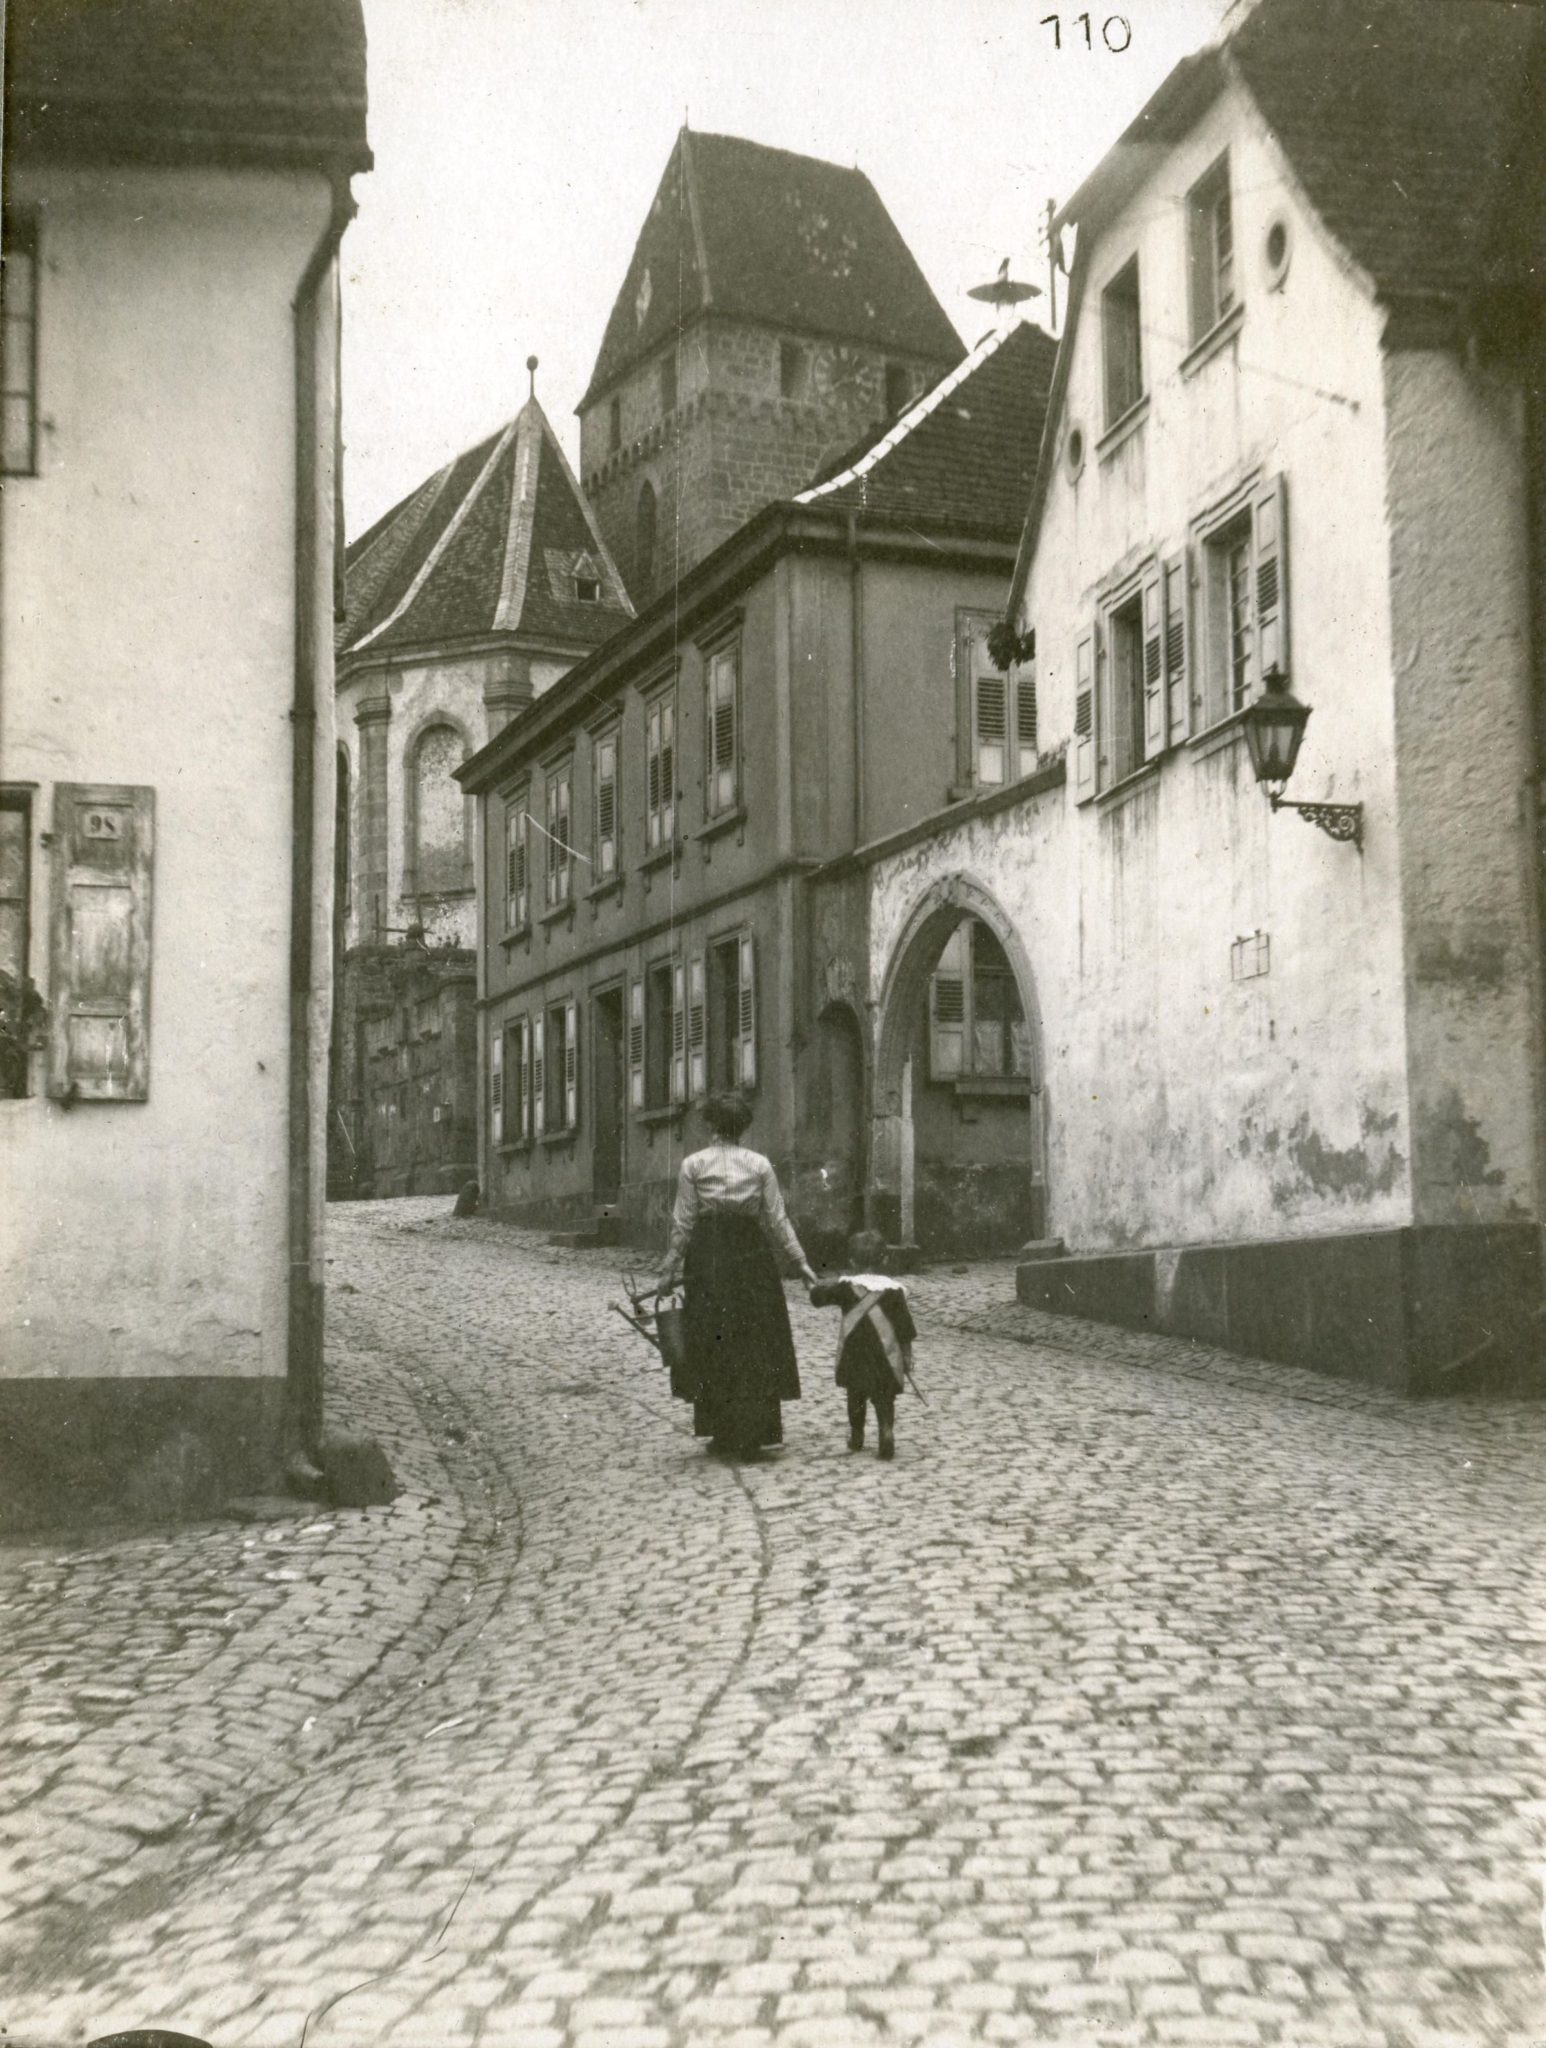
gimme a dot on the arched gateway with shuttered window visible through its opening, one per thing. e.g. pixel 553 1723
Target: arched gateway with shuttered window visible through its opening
pixel 957 1140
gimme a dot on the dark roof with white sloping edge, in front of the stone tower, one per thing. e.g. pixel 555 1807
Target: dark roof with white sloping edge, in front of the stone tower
pixel 965 454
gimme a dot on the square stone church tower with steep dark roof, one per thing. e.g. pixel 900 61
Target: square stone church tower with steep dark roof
pixel 769 318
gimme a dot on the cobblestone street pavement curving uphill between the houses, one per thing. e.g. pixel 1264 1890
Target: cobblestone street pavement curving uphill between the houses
pixel 1150 1697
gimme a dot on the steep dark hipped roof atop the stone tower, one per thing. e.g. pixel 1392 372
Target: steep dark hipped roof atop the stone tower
pixel 775 239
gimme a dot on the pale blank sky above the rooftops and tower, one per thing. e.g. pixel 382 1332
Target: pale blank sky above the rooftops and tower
pixel 519 144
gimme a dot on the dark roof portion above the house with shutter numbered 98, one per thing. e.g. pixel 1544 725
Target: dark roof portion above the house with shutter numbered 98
pixel 220 81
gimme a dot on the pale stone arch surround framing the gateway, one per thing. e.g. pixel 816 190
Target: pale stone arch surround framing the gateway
pixel 914 957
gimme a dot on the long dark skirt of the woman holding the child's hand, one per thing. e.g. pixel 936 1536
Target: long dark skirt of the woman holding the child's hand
pixel 740 1345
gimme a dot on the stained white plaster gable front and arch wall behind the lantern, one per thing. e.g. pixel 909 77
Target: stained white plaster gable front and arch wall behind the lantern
pixel 1185 1105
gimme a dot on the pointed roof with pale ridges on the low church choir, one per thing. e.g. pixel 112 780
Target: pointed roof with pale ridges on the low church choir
pixel 497 542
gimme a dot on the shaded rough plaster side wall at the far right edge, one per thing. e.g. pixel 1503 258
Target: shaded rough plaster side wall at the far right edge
pixel 1461 620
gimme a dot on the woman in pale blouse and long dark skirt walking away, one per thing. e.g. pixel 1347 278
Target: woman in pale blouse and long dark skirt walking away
pixel 740 1347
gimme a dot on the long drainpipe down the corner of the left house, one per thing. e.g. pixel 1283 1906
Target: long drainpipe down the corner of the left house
pixel 304 1330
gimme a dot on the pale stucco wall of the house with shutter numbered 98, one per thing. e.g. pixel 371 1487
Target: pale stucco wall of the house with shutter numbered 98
pixel 148 613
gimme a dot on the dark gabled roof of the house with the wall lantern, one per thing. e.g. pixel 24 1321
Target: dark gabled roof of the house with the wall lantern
pixel 1414 126
